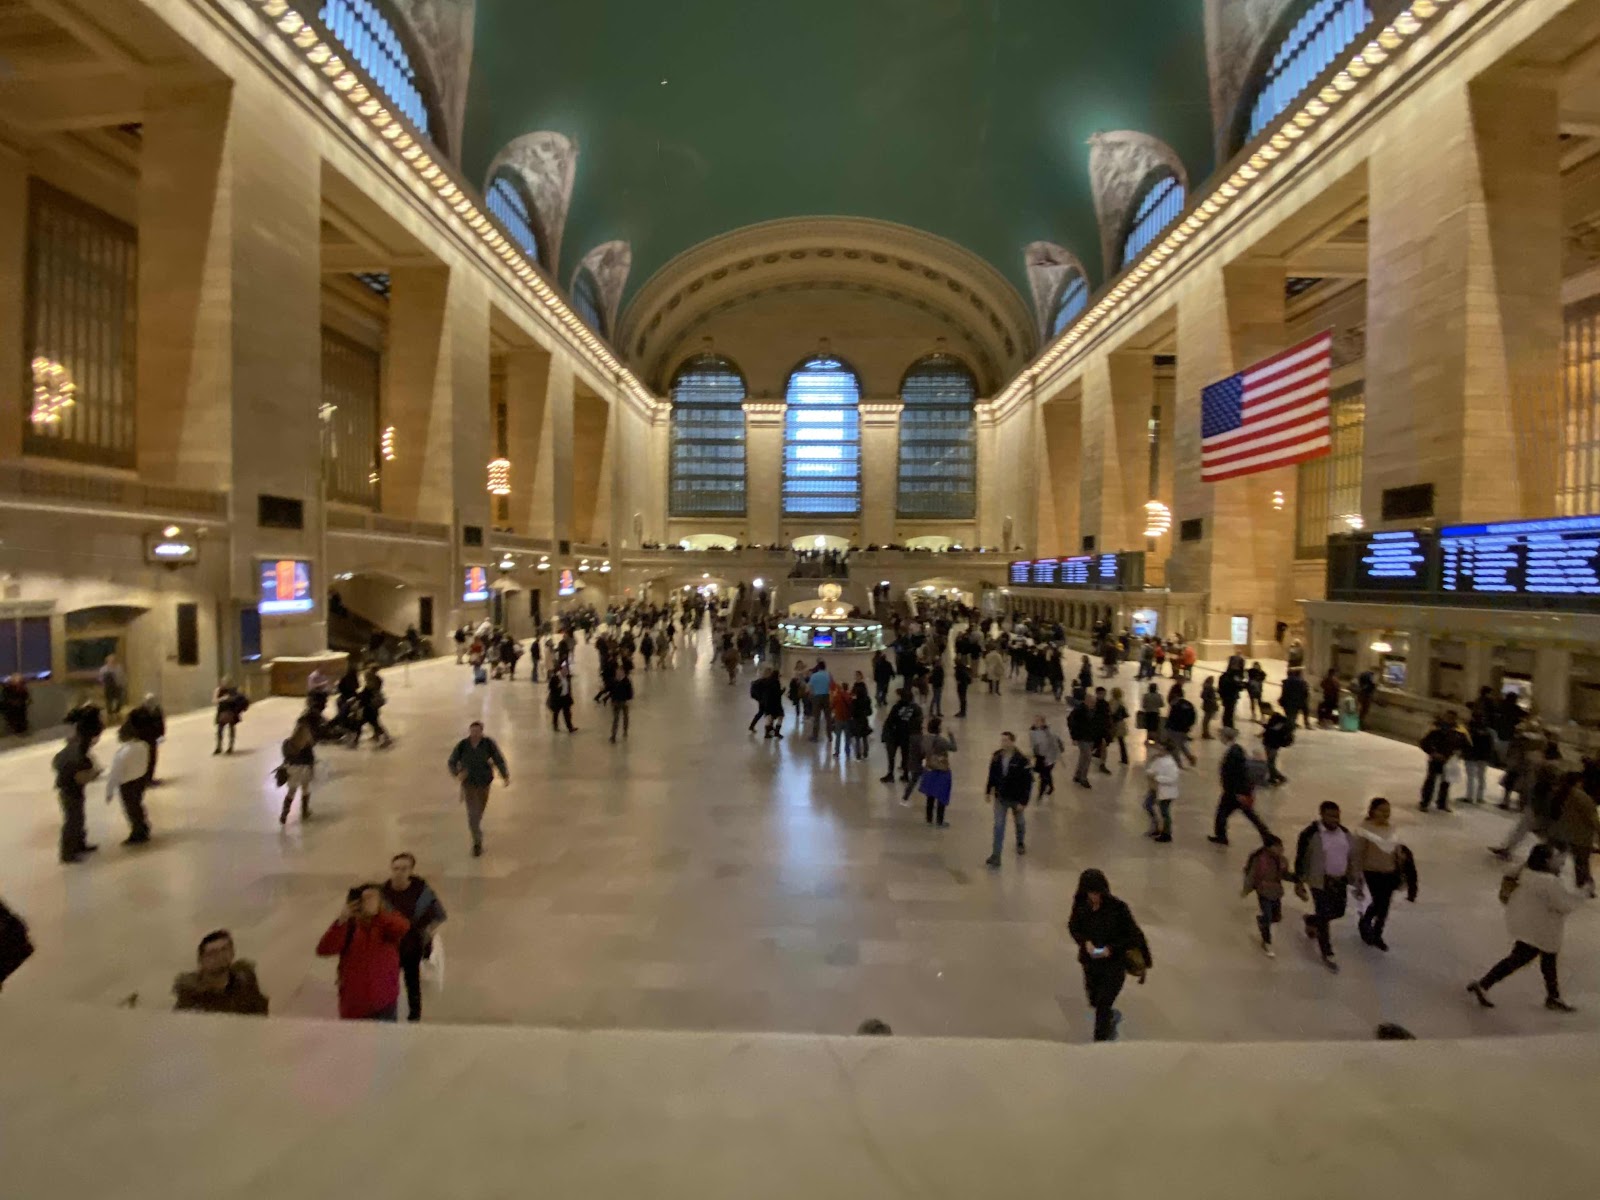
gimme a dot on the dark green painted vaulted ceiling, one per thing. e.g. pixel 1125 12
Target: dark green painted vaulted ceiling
pixel 967 119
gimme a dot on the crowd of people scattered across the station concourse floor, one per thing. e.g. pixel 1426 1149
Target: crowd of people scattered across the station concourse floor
pixel 386 932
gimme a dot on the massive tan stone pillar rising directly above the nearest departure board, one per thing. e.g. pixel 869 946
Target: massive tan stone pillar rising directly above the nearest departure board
pixel 1465 313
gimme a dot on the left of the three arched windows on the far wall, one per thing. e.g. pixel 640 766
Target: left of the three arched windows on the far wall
pixel 708 439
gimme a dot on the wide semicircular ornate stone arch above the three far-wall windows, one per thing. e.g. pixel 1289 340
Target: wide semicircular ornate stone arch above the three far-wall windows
pixel 977 303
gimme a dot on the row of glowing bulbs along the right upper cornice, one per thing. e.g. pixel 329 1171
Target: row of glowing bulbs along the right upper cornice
pixel 1249 175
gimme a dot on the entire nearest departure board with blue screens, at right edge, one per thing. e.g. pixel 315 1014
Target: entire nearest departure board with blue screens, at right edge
pixel 1538 564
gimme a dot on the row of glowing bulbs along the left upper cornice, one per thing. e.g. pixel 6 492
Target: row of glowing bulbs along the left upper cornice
pixel 324 58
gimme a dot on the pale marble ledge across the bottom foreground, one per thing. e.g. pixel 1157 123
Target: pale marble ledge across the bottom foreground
pixel 100 1103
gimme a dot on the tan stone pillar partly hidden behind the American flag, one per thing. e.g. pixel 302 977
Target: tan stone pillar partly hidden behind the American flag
pixel 1230 319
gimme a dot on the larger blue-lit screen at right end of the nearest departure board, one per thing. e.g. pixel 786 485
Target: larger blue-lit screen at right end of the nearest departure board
pixel 1554 559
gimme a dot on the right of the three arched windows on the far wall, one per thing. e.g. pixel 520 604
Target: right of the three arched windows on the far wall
pixel 938 460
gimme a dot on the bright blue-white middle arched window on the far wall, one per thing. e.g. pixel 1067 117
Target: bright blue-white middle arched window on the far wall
pixel 823 441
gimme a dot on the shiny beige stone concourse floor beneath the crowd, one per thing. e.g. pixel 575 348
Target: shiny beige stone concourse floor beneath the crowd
pixel 702 879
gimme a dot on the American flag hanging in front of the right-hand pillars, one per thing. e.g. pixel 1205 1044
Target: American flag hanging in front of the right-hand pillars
pixel 1273 415
